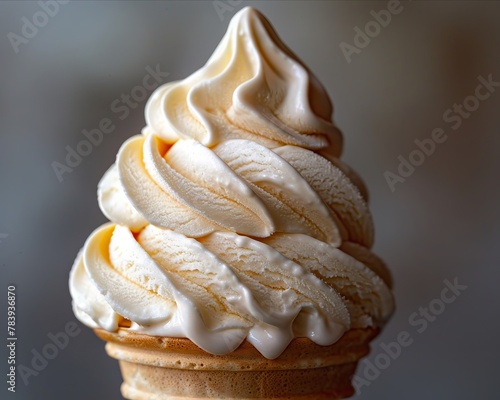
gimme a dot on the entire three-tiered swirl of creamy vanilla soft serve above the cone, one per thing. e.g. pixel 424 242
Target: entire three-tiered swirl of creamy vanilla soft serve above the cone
pixel 232 217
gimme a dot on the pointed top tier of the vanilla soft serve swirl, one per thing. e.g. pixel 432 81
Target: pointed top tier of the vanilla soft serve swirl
pixel 252 87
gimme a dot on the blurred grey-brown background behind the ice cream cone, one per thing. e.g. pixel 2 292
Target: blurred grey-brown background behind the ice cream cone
pixel 440 223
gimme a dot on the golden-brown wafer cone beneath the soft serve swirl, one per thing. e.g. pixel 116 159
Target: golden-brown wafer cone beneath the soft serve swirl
pixel 155 368
